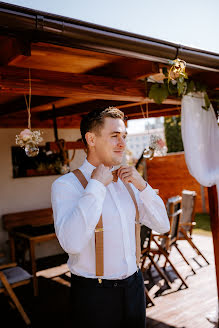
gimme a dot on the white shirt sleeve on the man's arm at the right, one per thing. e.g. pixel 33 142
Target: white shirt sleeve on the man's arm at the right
pixel 152 210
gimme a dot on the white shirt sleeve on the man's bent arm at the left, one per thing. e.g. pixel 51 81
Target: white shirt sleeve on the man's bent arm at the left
pixel 76 213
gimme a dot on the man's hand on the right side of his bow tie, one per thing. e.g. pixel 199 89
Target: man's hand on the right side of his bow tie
pixel 130 174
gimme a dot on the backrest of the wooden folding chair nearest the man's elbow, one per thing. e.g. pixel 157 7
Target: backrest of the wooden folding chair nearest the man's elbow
pixel 174 211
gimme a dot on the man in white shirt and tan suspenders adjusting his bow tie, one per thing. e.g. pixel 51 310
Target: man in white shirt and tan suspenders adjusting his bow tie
pixel 111 293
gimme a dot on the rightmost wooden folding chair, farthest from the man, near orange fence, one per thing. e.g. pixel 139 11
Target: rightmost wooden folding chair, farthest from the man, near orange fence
pixel 188 221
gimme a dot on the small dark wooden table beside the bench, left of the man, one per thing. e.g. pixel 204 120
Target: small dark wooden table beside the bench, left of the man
pixel 33 235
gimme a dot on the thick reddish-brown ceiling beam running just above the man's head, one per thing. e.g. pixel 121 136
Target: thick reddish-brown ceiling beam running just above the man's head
pixel 58 84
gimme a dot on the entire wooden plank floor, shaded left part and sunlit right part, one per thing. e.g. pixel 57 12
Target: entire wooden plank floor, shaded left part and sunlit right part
pixel 186 308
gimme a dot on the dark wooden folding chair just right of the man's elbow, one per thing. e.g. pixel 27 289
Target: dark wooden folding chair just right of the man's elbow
pixel 164 242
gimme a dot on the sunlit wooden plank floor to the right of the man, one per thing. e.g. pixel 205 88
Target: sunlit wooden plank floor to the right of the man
pixel 187 308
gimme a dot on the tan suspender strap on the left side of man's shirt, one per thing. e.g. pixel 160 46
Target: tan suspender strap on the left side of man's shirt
pixel 98 231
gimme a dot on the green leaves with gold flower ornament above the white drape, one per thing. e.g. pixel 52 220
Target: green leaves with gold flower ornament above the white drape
pixel 176 83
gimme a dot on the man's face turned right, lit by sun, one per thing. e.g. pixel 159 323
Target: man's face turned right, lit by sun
pixel 109 144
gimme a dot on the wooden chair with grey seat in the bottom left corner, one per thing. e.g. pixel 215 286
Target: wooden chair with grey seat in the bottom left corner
pixel 12 276
